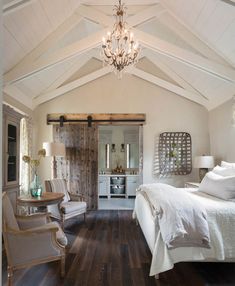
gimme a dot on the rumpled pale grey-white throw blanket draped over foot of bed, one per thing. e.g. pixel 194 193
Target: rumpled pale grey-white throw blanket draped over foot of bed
pixel 182 220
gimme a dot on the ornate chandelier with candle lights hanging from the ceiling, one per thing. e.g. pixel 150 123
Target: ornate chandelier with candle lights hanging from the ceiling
pixel 119 49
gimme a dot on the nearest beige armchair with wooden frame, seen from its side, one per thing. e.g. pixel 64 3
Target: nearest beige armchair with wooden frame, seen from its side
pixel 30 240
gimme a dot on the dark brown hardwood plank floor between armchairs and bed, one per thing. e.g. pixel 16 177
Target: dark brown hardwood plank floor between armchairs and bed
pixel 111 250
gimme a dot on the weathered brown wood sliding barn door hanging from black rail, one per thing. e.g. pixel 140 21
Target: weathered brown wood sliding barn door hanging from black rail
pixel 80 166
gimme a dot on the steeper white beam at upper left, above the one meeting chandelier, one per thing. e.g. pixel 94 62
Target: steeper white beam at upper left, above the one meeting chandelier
pixel 44 46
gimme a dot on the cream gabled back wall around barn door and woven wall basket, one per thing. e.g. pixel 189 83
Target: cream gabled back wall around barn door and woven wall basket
pixel 165 111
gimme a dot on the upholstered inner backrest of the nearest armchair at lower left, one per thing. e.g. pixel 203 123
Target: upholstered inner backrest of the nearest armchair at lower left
pixel 8 213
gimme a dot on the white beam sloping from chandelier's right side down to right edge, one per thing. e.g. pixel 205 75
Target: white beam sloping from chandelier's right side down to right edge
pixel 198 62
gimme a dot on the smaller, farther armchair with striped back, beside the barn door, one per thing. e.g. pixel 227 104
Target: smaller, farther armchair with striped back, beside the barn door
pixel 72 205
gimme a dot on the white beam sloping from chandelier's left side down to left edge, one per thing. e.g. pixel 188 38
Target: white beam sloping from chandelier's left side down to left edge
pixel 58 56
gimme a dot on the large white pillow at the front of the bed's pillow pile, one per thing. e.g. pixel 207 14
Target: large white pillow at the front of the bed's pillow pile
pixel 218 186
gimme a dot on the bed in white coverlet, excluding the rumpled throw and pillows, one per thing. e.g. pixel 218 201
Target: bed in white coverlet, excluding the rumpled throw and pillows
pixel 221 221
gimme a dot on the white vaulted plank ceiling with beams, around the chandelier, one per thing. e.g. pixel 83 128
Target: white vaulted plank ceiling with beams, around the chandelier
pixel 53 46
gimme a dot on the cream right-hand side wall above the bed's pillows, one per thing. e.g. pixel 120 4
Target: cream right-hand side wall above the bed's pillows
pixel 222 134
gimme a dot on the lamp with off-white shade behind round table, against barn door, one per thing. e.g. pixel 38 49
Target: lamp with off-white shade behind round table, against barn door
pixel 54 150
